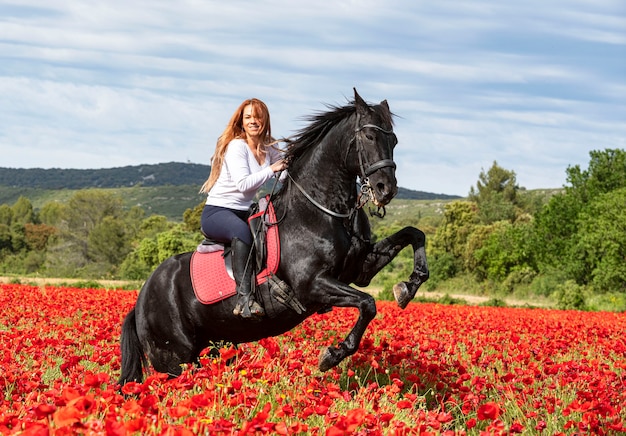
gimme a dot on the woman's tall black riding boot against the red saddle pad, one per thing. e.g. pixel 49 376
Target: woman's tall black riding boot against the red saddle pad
pixel 243 271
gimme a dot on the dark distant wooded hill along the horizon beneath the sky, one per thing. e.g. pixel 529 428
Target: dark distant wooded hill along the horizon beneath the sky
pixel 163 174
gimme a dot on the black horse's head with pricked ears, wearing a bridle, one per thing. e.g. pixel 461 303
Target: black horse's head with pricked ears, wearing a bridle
pixel 375 142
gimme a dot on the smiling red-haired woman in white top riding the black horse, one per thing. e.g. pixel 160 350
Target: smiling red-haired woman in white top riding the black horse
pixel 243 161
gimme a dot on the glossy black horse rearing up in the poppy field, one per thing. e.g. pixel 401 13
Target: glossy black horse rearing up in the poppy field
pixel 325 245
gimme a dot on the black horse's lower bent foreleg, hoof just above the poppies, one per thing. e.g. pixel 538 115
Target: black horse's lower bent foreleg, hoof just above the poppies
pixel 334 293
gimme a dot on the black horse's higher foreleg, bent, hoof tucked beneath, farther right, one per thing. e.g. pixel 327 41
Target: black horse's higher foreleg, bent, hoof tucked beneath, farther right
pixel 386 250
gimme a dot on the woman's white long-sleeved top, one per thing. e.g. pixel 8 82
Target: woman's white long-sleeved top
pixel 241 176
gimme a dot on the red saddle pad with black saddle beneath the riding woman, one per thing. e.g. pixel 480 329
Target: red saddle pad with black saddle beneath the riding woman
pixel 211 268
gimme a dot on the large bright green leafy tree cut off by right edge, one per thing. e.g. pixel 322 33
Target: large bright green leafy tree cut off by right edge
pixel 581 230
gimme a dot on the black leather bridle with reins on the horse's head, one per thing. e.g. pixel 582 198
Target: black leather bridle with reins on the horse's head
pixel 366 193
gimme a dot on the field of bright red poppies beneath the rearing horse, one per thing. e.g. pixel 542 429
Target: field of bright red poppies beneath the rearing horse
pixel 428 369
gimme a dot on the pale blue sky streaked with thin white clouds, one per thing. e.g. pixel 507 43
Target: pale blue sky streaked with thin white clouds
pixel 533 85
